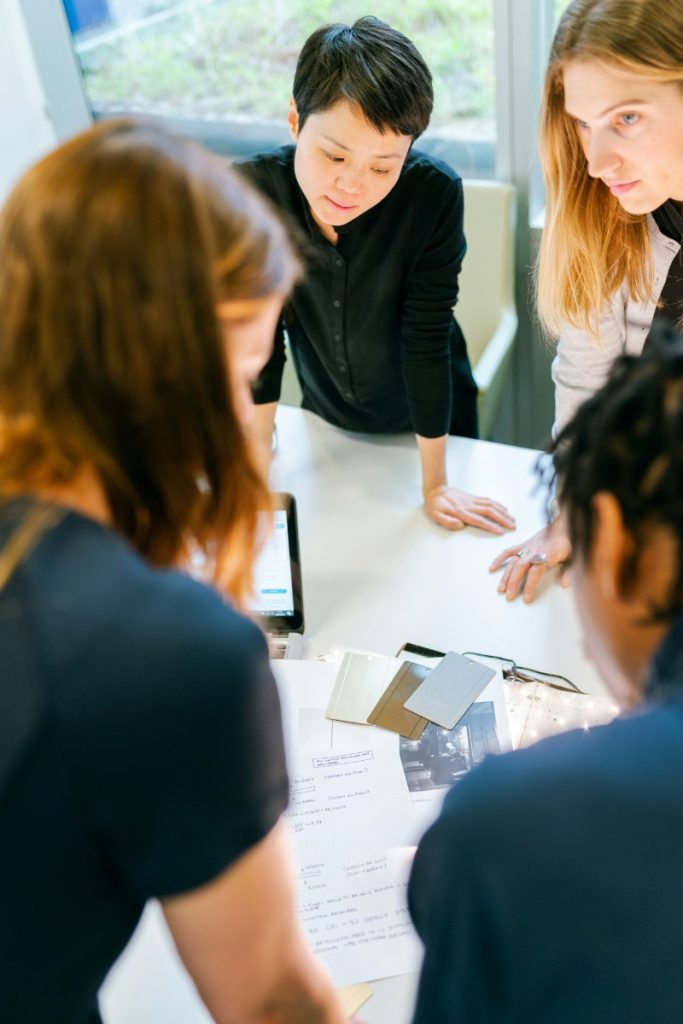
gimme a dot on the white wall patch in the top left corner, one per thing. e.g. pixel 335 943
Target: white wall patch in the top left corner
pixel 26 131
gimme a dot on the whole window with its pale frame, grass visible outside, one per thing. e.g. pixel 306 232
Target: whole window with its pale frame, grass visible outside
pixel 222 70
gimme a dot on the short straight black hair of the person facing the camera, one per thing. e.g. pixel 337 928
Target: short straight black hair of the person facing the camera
pixel 371 65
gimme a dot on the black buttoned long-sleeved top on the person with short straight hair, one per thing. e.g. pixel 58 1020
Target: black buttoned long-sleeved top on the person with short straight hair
pixel 371 328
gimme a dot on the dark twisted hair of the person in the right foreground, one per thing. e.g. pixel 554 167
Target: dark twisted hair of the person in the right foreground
pixel 628 440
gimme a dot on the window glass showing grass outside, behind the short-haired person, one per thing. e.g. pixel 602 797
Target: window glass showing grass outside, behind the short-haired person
pixel 226 69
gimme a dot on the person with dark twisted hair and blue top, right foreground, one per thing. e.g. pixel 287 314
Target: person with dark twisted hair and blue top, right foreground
pixel 550 889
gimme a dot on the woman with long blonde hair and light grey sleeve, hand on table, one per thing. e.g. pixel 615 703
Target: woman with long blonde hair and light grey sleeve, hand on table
pixel 612 151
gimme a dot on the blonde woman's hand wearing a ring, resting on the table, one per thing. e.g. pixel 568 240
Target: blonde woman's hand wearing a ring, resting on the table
pixel 527 563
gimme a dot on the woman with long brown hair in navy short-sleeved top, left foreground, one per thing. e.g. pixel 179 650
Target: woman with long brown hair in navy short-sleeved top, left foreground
pixel 141 742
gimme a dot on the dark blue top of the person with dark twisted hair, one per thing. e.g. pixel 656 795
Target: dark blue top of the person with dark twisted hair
pixel 551 887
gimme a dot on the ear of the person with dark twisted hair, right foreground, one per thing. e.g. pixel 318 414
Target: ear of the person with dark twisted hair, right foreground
pixel 613 546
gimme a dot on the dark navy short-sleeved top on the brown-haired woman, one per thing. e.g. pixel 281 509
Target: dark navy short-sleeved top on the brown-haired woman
pixel 142 755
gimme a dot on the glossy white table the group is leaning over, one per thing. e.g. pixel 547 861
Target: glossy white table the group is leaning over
pixel 377 574
